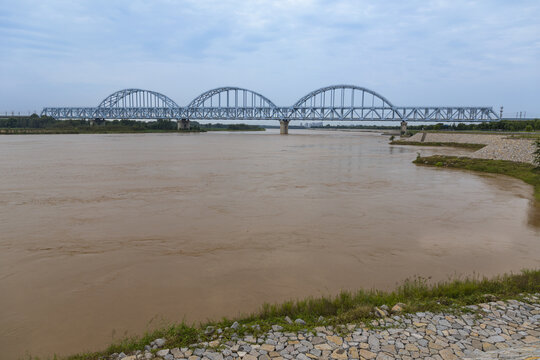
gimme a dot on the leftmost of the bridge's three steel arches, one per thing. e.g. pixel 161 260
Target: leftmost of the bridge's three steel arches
pixel 137 98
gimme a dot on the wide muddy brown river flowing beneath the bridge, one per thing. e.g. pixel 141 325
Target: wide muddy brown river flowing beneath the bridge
pixel 103 236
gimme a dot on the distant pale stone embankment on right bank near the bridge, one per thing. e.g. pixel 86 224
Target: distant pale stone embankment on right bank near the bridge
pixel 498 147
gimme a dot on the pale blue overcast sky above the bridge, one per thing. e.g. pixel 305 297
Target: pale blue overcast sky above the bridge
pixel 75 53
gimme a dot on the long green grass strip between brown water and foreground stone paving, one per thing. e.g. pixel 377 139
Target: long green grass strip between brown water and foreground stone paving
pixel 348 307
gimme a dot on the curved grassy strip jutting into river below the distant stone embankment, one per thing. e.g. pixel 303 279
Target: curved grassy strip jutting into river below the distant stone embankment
pixel 526 172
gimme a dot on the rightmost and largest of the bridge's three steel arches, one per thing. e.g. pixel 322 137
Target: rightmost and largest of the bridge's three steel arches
pixel 343 96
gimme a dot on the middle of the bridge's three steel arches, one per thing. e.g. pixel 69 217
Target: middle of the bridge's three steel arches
pixel 231 97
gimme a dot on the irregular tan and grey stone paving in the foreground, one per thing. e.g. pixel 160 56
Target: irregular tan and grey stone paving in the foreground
pixel 494 330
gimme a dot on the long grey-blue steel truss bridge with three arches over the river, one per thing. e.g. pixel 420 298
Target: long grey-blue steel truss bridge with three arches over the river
pixel 331 103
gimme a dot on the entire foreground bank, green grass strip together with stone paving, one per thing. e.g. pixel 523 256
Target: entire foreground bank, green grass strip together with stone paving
pixel 442 321
